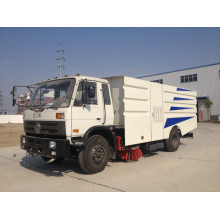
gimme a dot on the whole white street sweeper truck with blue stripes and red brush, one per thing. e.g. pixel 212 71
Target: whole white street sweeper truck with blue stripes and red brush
pixel 100 119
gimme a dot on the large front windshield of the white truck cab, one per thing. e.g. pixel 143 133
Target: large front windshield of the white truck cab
pixel 57 94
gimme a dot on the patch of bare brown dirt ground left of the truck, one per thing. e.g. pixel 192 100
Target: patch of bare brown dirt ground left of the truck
pixel 10 134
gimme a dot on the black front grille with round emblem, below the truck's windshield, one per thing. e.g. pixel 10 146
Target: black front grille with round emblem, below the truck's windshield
pixel 46 128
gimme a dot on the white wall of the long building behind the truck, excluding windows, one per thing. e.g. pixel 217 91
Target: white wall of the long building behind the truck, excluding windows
pixel 208 83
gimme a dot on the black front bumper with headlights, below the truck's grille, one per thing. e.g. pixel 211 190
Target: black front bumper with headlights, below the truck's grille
pixel 40 146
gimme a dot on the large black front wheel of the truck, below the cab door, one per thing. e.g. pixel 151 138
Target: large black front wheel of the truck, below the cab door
pixel 94 156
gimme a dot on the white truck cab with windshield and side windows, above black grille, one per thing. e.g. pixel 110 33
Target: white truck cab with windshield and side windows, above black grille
pixel 77 102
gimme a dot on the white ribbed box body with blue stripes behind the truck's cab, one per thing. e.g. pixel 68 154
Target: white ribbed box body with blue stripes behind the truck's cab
pixel 148 111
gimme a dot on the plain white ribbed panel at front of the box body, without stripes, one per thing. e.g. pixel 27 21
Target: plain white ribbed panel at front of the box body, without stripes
pixel 136 111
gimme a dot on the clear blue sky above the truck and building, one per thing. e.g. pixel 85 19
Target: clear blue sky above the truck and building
pixel 28 55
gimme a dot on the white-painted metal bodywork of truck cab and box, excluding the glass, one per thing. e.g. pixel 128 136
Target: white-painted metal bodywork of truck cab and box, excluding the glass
pixel 147 111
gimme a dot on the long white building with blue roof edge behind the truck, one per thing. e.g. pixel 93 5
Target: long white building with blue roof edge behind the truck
pixel 204 79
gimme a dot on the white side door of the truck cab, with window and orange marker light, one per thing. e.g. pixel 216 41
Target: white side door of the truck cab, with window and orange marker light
pixel 87 108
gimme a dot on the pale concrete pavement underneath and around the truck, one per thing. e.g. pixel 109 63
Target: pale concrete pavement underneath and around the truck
pixel 194 167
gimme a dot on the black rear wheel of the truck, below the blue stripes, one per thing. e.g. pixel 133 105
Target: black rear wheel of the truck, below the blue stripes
pixel 172 144
